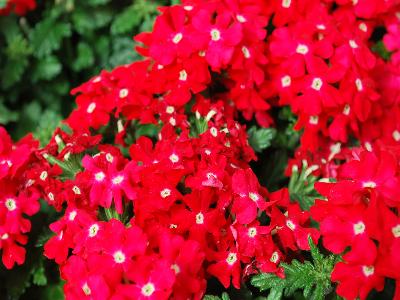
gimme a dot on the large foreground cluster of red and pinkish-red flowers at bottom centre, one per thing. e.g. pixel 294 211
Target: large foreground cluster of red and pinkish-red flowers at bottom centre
pixel 195 205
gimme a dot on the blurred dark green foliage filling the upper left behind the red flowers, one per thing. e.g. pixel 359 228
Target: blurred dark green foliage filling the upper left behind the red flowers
pixel 57 47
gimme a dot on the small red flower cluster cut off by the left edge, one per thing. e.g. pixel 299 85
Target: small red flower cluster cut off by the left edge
pixel 18 196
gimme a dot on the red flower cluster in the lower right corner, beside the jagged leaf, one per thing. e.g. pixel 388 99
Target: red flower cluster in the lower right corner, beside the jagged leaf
pixel 361 216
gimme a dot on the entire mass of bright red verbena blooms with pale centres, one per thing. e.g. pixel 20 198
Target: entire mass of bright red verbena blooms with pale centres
pixel 154 180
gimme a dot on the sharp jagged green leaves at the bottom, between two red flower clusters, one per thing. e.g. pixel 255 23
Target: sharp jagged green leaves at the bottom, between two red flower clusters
pixel 313 278
